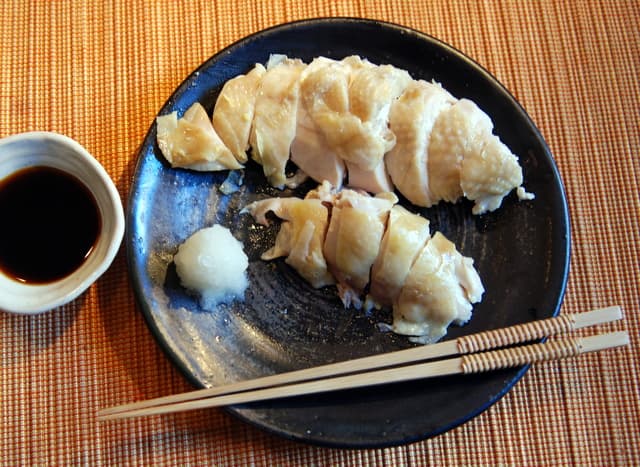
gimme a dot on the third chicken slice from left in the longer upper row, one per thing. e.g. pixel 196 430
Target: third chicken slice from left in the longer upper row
pixel 274 121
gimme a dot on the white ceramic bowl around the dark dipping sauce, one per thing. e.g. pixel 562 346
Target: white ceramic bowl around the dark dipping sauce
pixel 61 152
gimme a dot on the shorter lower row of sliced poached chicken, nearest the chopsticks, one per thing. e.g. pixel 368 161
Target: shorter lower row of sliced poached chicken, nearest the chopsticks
pixel 362 242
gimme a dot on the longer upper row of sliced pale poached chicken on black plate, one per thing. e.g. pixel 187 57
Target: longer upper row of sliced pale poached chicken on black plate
pixel 370 125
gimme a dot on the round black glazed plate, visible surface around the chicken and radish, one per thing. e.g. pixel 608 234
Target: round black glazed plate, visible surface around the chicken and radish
pixel 521 252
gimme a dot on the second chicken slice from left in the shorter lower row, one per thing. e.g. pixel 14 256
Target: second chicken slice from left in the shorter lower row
pixel 353 240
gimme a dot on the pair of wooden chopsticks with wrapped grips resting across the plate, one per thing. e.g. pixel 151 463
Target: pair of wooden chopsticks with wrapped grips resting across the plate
pixel 474 358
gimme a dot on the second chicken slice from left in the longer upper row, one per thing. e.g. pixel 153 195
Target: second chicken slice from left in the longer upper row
pixel 234 110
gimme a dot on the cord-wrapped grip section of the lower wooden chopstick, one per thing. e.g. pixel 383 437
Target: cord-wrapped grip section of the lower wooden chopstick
pixel 517 356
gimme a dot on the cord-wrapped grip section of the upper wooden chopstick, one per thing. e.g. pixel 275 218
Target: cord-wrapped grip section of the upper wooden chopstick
pixel 515 334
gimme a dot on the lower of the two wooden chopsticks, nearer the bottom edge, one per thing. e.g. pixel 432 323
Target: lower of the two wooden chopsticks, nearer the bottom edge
pixel 472 363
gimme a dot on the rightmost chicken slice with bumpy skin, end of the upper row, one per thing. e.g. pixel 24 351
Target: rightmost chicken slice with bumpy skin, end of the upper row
pixel 488 175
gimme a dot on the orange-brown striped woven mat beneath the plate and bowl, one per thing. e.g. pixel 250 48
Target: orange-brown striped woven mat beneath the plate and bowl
pixel 100 71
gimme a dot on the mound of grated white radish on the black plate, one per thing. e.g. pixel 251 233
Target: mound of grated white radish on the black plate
pixel 212 264
